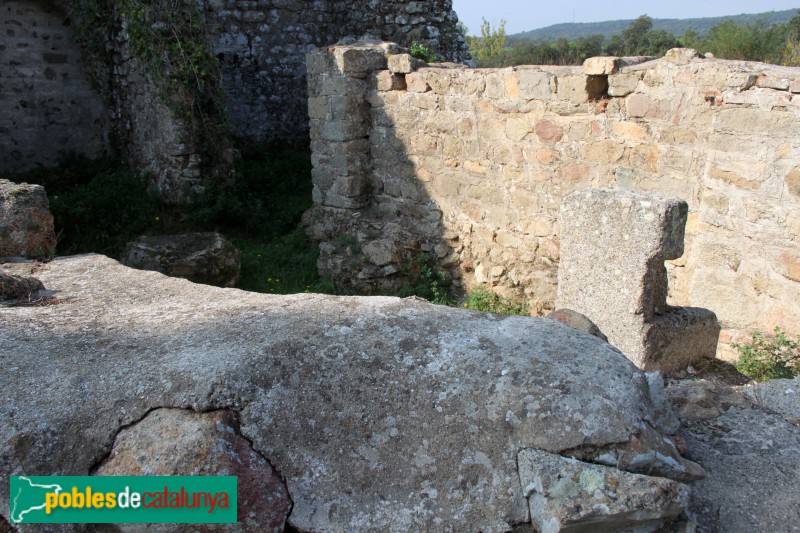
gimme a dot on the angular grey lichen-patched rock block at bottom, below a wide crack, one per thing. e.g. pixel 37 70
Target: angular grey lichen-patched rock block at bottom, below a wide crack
pixel 569 495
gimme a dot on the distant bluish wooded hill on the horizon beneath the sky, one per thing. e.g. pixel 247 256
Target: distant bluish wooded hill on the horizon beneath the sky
pixel 678 27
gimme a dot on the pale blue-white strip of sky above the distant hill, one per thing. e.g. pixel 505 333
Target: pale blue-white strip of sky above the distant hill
pixel 525 15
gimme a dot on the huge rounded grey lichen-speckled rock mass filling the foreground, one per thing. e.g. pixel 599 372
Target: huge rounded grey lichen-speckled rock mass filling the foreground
pixel 379 413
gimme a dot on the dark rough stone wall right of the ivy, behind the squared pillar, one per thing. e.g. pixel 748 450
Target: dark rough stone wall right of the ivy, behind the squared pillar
pixel 262 45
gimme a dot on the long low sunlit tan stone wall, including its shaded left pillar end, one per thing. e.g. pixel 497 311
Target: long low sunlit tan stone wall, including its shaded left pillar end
pixel 471 165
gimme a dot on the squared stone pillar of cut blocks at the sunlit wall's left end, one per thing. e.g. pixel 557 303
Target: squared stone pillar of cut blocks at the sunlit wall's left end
pixel 339 122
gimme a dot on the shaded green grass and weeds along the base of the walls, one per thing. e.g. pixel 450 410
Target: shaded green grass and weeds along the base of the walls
pixel 101 205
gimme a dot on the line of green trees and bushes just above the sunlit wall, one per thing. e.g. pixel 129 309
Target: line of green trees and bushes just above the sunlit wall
pixel 777 43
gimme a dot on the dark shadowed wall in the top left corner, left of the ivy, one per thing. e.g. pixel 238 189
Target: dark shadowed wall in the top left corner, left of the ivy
pixel 47 103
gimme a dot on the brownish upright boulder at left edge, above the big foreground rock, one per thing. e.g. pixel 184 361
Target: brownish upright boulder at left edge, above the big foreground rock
pixel 26 224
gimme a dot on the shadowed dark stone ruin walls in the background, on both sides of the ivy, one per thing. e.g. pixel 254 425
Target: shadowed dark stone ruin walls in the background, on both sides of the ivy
pixel 48 105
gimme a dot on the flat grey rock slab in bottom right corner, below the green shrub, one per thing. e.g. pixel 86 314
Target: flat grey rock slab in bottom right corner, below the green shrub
pixel 750 455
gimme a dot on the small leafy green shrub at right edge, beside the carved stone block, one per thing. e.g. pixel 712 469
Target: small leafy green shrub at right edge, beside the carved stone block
pixel 769 357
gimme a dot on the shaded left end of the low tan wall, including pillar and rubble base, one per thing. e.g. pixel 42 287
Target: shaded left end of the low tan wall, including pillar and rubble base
pixel 379 228
